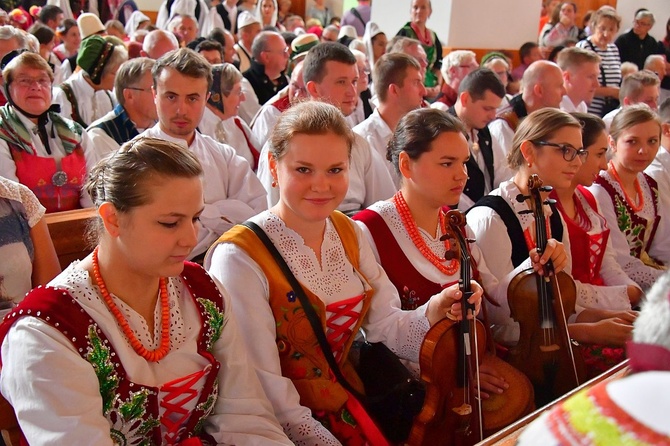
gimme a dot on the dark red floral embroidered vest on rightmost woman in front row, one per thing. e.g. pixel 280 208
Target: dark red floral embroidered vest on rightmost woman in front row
pixel 639 231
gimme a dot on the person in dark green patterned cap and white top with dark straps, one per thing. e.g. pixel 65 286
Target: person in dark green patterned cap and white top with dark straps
pixel 86 95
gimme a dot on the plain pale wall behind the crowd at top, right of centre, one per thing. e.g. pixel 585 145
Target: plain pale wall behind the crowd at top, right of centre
pixel 504 24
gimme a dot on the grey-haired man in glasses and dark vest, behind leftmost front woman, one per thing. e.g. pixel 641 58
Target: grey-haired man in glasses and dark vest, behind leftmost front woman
pixel 135 111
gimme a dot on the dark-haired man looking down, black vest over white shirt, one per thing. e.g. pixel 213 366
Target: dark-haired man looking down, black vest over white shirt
pixel 480 94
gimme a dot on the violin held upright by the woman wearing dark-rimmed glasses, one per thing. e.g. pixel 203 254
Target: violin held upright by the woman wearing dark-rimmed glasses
pixel 542 304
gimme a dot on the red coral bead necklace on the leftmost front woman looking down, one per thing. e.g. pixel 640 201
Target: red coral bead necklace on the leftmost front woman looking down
pixel 149 355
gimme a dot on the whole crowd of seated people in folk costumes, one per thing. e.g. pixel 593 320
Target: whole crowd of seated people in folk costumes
pixel 233 124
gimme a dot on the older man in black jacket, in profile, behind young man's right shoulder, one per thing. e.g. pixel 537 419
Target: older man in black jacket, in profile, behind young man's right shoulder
pixel 270 58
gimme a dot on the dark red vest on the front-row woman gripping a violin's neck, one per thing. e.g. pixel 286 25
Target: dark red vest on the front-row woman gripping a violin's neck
pixel 414 289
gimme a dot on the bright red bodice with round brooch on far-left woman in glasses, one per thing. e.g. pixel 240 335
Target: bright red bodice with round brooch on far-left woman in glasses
pixel 38 173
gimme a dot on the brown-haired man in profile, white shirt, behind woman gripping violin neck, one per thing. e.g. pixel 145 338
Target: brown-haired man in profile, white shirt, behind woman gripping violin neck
pixel 398 84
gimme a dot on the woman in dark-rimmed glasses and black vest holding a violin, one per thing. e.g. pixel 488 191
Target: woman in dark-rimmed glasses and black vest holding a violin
pixel 547 143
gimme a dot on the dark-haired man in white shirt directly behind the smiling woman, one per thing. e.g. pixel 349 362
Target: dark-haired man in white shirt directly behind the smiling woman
pixel 330 75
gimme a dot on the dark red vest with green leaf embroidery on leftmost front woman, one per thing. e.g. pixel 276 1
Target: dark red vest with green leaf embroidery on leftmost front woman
pixel 132 409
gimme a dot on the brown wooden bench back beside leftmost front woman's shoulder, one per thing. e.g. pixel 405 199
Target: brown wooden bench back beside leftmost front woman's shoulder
pixel 68 233
